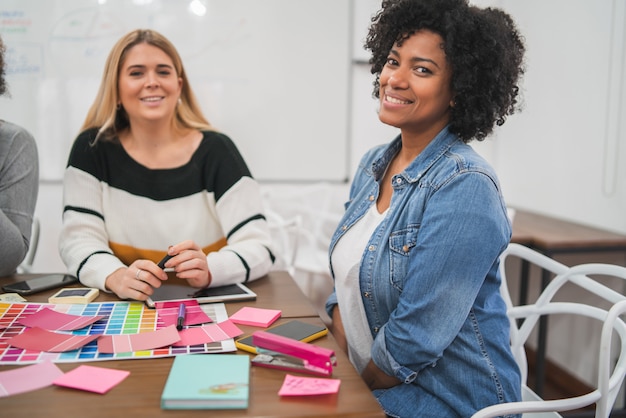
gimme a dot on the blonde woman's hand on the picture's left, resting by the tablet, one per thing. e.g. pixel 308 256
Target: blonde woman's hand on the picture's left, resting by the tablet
pixel 136 281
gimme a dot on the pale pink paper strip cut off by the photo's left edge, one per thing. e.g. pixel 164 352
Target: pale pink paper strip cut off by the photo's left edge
pixel 28 378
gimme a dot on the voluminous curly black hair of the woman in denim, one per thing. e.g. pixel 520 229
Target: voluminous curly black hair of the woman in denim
pixel 483 47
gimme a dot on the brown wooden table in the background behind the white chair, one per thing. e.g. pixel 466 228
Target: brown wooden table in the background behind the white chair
pixel 552 236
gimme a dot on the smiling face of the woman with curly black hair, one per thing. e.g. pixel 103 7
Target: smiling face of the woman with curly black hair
pixel 415 88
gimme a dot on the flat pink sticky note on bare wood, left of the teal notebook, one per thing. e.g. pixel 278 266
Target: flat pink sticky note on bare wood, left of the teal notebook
pixel 92 379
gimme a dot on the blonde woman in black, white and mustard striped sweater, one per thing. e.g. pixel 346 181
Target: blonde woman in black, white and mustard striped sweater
pixel 148 176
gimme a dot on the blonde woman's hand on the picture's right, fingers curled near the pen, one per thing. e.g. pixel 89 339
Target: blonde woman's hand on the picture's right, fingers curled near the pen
pixel 189 263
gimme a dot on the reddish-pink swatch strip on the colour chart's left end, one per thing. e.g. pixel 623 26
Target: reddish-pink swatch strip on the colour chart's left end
pixel 38 339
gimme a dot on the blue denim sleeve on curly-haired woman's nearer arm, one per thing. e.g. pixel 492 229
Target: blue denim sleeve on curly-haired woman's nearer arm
pixel 463 231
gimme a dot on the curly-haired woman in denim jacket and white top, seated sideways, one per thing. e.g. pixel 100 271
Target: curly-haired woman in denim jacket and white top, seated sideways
pixel 415 259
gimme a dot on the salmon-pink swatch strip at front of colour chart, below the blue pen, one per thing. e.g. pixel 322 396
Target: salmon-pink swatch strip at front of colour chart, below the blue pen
pixel 138 342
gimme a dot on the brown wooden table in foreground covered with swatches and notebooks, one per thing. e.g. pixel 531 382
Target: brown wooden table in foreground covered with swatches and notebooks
pixel 140 393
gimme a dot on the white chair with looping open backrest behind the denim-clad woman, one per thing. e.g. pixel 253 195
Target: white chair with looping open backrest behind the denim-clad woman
pixel 610 376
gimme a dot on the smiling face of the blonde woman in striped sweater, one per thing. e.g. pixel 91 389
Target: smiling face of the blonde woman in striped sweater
pixel 148 86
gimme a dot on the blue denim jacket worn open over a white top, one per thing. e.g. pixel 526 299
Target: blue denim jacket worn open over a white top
pixel 430 283
